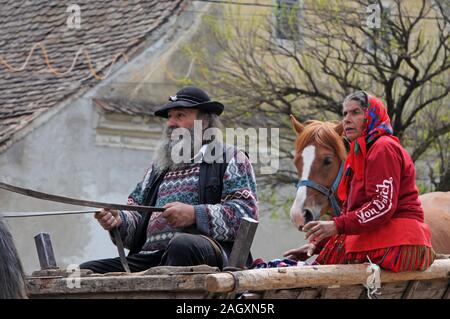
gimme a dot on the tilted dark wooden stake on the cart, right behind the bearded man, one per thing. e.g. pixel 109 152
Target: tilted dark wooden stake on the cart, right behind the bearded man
pixel 243 242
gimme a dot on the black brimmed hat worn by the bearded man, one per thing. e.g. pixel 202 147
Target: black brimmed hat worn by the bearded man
pixel 190 97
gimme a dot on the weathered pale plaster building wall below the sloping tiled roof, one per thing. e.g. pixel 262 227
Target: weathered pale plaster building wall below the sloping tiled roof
pixel 64 155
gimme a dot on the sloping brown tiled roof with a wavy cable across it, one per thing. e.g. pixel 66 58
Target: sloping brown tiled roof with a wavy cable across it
pixel 107 30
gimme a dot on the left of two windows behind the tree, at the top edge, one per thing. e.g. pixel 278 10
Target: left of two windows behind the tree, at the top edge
pixel 287 19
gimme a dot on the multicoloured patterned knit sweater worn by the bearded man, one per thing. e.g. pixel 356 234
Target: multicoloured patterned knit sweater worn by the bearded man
pixel 219 221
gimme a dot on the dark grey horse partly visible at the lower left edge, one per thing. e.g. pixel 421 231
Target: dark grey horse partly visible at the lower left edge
pixel 12 276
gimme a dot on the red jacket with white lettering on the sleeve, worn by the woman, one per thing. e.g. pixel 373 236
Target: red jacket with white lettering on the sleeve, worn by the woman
pixel 387 191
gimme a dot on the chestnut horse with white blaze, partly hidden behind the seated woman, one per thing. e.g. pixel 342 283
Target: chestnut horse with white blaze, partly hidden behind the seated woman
pixel 319 155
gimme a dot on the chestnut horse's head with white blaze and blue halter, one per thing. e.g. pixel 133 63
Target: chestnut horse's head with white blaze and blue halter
pixel 318 157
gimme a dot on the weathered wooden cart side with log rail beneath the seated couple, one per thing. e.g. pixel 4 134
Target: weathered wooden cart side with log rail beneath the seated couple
pixel 327 281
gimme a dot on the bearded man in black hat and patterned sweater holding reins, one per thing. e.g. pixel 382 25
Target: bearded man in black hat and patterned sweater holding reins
pixel 205 187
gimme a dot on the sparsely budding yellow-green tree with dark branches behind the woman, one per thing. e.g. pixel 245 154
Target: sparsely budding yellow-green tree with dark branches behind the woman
pixel 263 80
